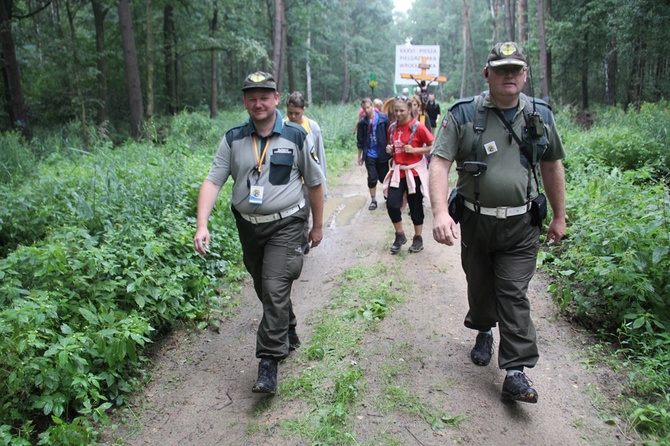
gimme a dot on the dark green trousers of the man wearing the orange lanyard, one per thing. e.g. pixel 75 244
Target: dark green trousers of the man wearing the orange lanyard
pixel 272 253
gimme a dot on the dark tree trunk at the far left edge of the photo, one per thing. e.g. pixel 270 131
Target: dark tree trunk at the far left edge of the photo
pixel 18 114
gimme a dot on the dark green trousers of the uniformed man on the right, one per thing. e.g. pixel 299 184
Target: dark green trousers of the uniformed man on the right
pixel 499 258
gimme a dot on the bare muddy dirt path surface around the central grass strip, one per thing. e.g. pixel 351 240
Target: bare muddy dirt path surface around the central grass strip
pixel 201 388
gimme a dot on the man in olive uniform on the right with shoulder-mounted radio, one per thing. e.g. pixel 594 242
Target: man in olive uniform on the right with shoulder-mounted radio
pixel 497 141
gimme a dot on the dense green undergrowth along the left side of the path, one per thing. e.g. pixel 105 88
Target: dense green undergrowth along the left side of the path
pixel 97 261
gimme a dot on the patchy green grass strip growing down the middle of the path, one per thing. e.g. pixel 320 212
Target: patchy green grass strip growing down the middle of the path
pixel 331 380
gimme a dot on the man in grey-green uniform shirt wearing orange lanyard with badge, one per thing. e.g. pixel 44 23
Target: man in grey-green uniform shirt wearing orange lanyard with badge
pixel 268 160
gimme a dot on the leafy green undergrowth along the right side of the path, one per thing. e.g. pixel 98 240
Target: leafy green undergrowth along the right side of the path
pixel 611 272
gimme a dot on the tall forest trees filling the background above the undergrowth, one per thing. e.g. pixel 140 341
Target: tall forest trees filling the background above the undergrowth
pixel 119 63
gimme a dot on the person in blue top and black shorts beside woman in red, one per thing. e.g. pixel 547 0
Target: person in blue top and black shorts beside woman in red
pixel 371 139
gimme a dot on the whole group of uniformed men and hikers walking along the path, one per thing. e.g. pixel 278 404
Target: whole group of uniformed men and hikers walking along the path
pixel 508 157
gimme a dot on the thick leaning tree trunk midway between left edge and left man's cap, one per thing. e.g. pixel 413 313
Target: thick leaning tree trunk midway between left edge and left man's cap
pixel 133 86
